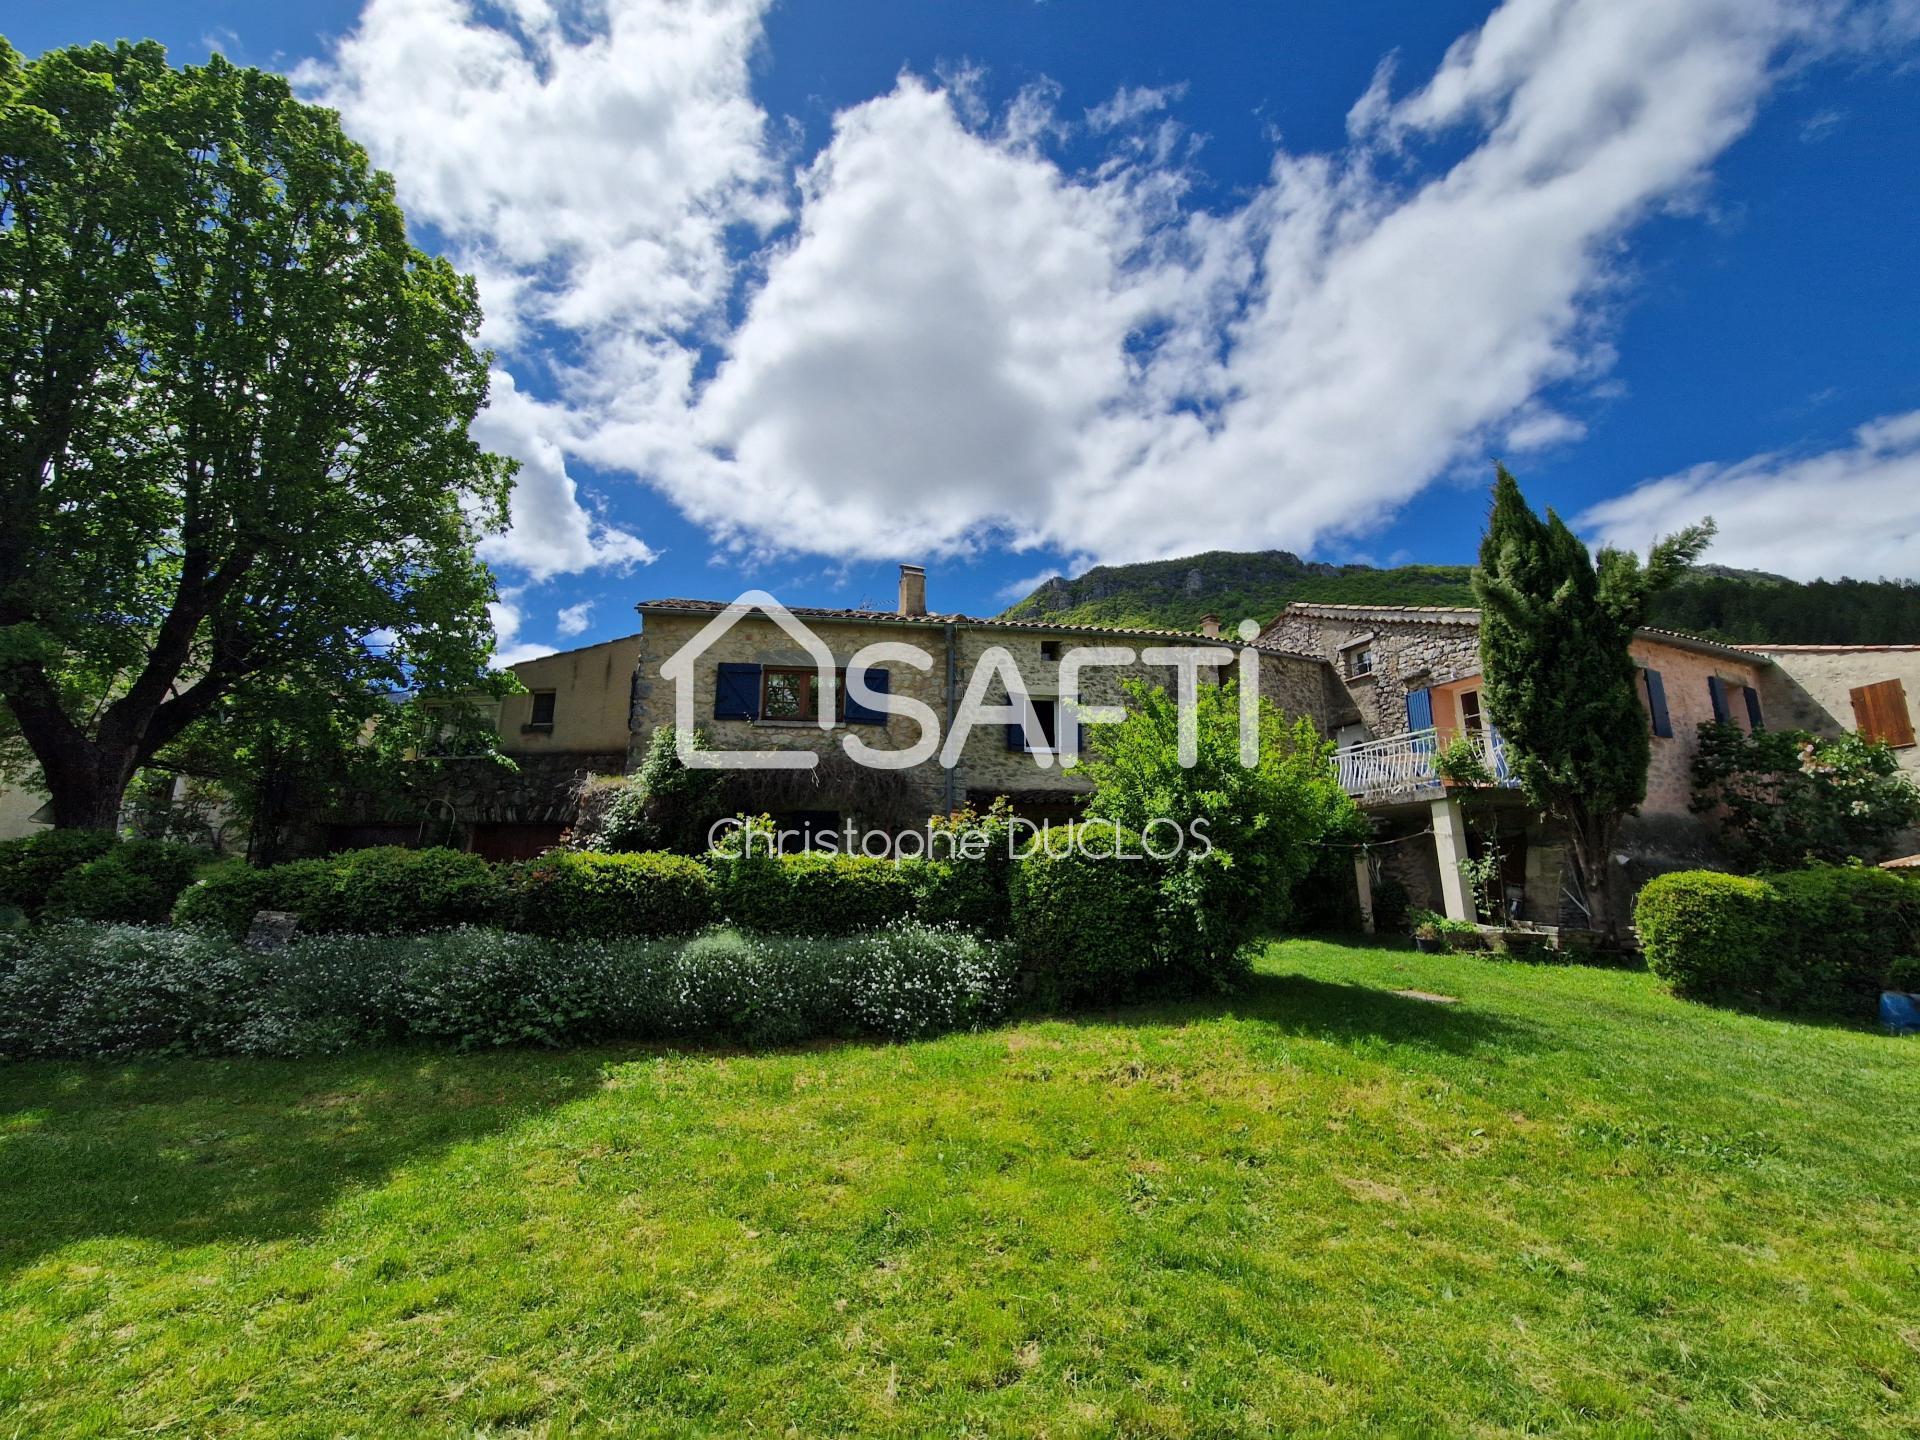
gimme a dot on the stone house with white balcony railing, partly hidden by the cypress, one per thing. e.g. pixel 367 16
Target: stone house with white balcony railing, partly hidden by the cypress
pixel 1408 683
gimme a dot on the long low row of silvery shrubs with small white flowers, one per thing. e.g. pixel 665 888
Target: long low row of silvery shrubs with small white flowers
pixel 87 990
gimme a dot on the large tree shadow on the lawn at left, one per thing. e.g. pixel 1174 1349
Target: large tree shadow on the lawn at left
pixel 214 1151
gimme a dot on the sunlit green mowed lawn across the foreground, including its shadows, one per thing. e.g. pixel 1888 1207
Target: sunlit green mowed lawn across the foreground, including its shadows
pixel 1564 1205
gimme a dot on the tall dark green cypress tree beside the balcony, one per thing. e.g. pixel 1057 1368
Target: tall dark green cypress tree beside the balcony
pixel 1556 625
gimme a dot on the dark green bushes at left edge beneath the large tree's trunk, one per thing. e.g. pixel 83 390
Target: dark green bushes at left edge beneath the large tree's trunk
pixel 85 875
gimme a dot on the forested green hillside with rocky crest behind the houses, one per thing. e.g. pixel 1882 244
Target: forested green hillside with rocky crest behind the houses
pixel 1739 606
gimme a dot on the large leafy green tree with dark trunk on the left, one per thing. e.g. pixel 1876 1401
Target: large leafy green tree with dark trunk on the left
pixel 237 406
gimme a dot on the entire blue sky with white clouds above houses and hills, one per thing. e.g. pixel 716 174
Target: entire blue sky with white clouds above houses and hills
pixel 790 293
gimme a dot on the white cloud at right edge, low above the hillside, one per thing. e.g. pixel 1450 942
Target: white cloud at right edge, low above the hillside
pixel 1848 512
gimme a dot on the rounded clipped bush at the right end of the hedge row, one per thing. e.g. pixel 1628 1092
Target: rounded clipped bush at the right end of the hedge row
pixel 1086 923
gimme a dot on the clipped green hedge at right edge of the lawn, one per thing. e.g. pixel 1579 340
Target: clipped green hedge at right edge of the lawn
pixel 1829 938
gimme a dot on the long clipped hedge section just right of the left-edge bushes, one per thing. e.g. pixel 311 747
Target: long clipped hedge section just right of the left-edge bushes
pixel 379 892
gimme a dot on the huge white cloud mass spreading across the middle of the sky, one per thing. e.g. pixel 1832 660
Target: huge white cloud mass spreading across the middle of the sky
pixel 940 337
